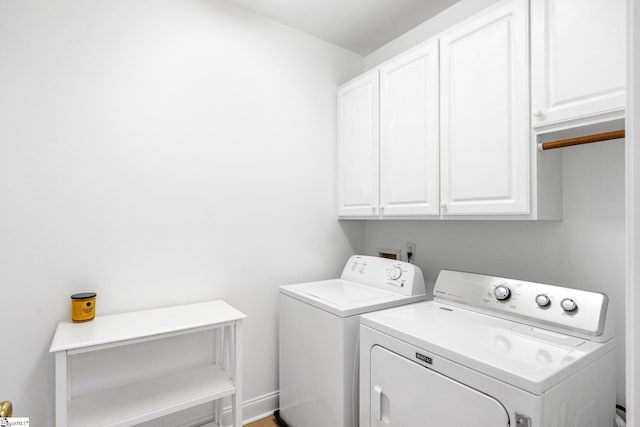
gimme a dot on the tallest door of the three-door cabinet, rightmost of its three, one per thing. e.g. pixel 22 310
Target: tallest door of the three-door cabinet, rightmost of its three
pixel 484 116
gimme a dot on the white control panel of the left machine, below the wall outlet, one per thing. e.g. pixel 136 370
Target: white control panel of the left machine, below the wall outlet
pixel 395 276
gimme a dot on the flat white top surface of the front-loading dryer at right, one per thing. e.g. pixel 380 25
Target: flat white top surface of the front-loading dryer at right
pixel 526 357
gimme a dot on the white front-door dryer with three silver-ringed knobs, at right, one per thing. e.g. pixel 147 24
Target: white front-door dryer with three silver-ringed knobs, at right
pixel 489 352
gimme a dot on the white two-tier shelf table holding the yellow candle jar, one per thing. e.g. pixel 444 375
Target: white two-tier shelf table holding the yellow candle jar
pixel 142 401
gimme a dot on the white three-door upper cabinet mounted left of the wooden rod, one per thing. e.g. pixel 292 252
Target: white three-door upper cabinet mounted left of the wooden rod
pixel 444 130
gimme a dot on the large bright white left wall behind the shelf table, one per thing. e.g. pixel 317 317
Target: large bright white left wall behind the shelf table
pixel 158 153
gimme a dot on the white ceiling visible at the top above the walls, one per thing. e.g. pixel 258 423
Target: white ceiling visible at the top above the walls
pixel 361 26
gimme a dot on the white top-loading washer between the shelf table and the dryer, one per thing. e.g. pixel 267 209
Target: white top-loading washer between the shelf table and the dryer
pixel 319 324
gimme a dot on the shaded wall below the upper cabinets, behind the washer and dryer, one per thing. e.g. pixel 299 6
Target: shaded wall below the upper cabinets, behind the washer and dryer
pixel 585 250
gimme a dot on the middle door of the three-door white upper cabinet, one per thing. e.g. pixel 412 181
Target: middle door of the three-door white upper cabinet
pixel 409 137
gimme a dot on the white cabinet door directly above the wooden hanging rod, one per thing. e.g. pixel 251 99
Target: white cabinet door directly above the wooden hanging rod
pixel 578 59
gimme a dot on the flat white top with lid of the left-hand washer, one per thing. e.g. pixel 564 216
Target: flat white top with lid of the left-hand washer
pixel 344 298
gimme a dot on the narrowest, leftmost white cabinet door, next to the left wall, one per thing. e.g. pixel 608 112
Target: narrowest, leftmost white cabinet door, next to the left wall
pixel 358 146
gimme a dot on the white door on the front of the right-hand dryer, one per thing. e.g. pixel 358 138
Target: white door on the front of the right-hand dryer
pixel 406 394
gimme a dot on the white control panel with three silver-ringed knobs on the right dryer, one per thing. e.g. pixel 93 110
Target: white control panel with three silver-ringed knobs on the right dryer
pixel 558 308
